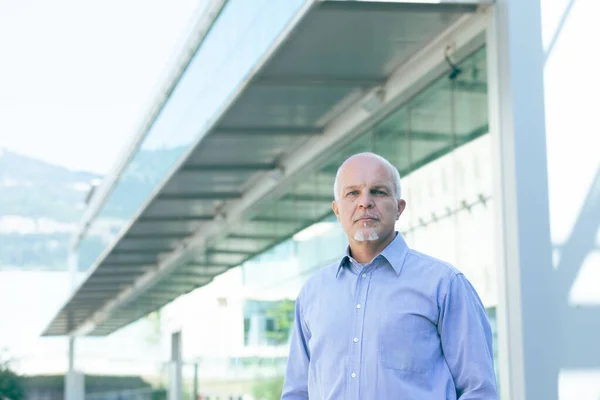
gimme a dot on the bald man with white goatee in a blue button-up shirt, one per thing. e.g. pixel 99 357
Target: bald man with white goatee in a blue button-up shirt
pixel 386 322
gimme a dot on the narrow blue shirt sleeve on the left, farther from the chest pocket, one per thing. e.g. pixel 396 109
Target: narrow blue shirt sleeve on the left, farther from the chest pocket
pixel 295 386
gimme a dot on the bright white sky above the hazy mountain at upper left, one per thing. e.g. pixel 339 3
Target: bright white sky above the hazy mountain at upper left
pixel 76 77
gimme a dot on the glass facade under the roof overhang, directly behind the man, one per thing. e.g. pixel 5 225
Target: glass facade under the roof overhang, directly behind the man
pixel 439 142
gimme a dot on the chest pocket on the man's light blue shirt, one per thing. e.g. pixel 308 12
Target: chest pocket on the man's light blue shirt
pixel 404 342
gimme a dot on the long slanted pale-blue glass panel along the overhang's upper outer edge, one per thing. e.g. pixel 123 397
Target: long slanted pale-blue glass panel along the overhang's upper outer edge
pixel 240 36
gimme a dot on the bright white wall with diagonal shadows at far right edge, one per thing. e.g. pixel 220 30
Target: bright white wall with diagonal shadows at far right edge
pixel 570 33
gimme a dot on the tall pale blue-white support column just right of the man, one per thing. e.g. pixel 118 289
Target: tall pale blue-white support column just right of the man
pixel 526 313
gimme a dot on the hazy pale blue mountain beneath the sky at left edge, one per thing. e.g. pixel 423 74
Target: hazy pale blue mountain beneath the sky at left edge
pixel 40 205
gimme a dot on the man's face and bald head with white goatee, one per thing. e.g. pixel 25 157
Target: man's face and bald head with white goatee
pixel 367 206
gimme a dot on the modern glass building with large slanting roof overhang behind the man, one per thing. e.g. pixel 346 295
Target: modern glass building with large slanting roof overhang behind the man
pixel 222 208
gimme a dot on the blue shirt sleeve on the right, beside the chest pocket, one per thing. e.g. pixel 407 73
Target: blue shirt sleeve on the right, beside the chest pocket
pixel 466 338
